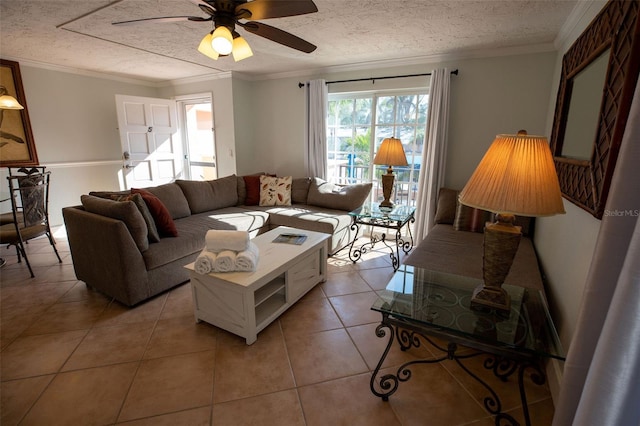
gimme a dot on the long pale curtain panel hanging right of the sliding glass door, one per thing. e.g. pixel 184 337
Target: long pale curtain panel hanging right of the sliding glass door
pixel 434 154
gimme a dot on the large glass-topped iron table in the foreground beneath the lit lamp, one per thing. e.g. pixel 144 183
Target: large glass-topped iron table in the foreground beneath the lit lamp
pixel 419 305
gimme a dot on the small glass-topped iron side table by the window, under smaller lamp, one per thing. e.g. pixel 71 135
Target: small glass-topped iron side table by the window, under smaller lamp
pixel 395 218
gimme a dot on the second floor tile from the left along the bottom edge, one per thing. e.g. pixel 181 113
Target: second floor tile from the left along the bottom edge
pixel 84 397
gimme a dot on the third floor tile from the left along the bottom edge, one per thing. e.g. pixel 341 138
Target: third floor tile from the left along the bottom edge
pixel 165 385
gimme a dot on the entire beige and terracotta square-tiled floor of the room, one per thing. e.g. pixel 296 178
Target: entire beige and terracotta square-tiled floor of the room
pixel 70 356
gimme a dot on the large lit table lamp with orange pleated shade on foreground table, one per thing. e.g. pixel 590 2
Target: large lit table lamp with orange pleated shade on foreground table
pixel 516 176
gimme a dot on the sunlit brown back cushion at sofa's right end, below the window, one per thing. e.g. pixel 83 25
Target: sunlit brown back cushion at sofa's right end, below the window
pixel 329 195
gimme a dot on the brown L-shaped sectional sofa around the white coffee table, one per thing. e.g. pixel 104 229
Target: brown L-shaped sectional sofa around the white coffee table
pixel 121 250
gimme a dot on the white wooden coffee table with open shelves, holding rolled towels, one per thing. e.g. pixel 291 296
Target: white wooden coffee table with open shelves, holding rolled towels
pixel 244 303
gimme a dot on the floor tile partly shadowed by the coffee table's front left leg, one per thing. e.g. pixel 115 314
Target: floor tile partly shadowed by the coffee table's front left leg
pixel 179 336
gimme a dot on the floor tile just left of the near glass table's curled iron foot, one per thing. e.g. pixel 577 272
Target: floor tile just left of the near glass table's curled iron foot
pixel 322 356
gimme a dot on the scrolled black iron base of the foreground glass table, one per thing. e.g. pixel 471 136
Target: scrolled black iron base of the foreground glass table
pixel 409 336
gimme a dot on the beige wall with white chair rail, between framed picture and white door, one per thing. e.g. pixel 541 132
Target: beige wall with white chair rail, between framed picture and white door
pixel 75 129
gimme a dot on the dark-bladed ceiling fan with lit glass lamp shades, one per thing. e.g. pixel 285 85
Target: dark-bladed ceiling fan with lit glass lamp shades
pixel 224 40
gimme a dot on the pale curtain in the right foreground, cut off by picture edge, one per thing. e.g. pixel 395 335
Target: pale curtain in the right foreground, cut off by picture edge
pixel 601 378
